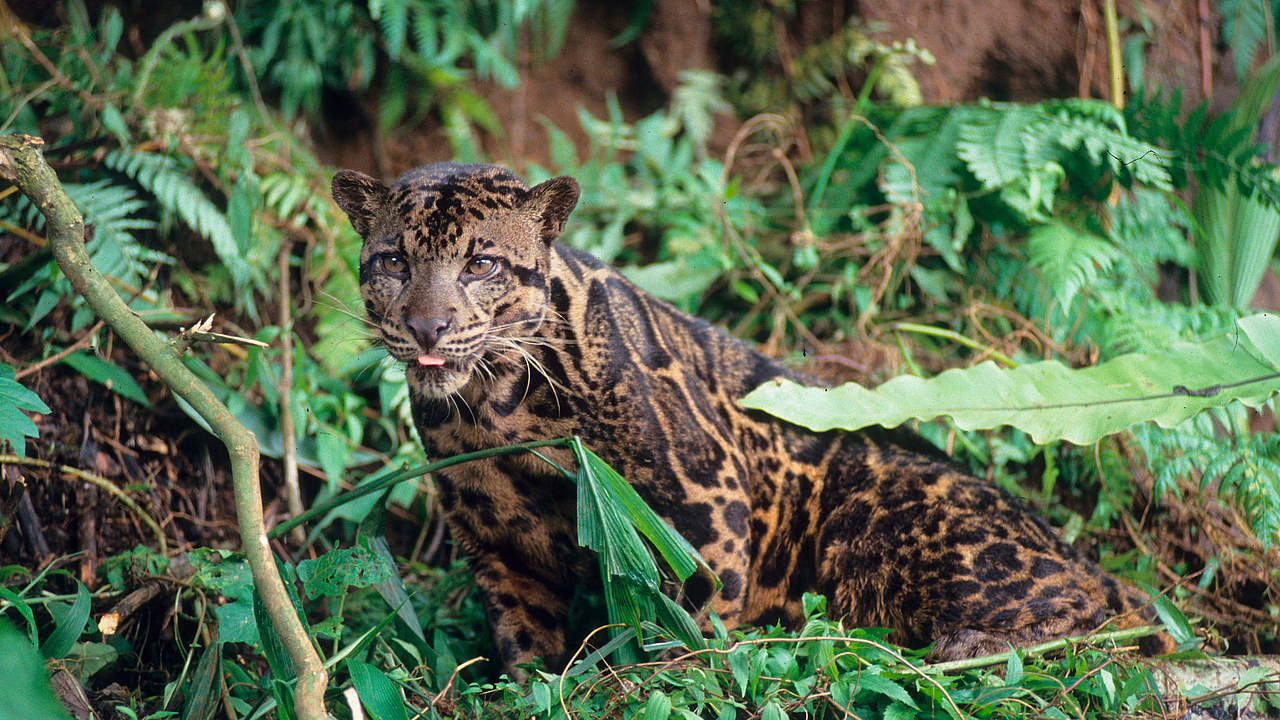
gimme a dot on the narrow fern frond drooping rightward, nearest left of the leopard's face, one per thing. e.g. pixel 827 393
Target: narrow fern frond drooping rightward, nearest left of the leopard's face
pixel 159 175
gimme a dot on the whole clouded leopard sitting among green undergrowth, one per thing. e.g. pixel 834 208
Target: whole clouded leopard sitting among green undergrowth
pixel 551 343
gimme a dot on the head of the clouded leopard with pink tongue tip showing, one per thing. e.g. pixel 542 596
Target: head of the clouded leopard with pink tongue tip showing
pixel 455 263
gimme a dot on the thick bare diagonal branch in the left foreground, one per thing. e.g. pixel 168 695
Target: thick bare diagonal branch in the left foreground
pixel 22 163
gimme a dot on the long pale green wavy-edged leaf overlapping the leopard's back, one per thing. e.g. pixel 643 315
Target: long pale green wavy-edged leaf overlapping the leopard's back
pixel 1049 400
